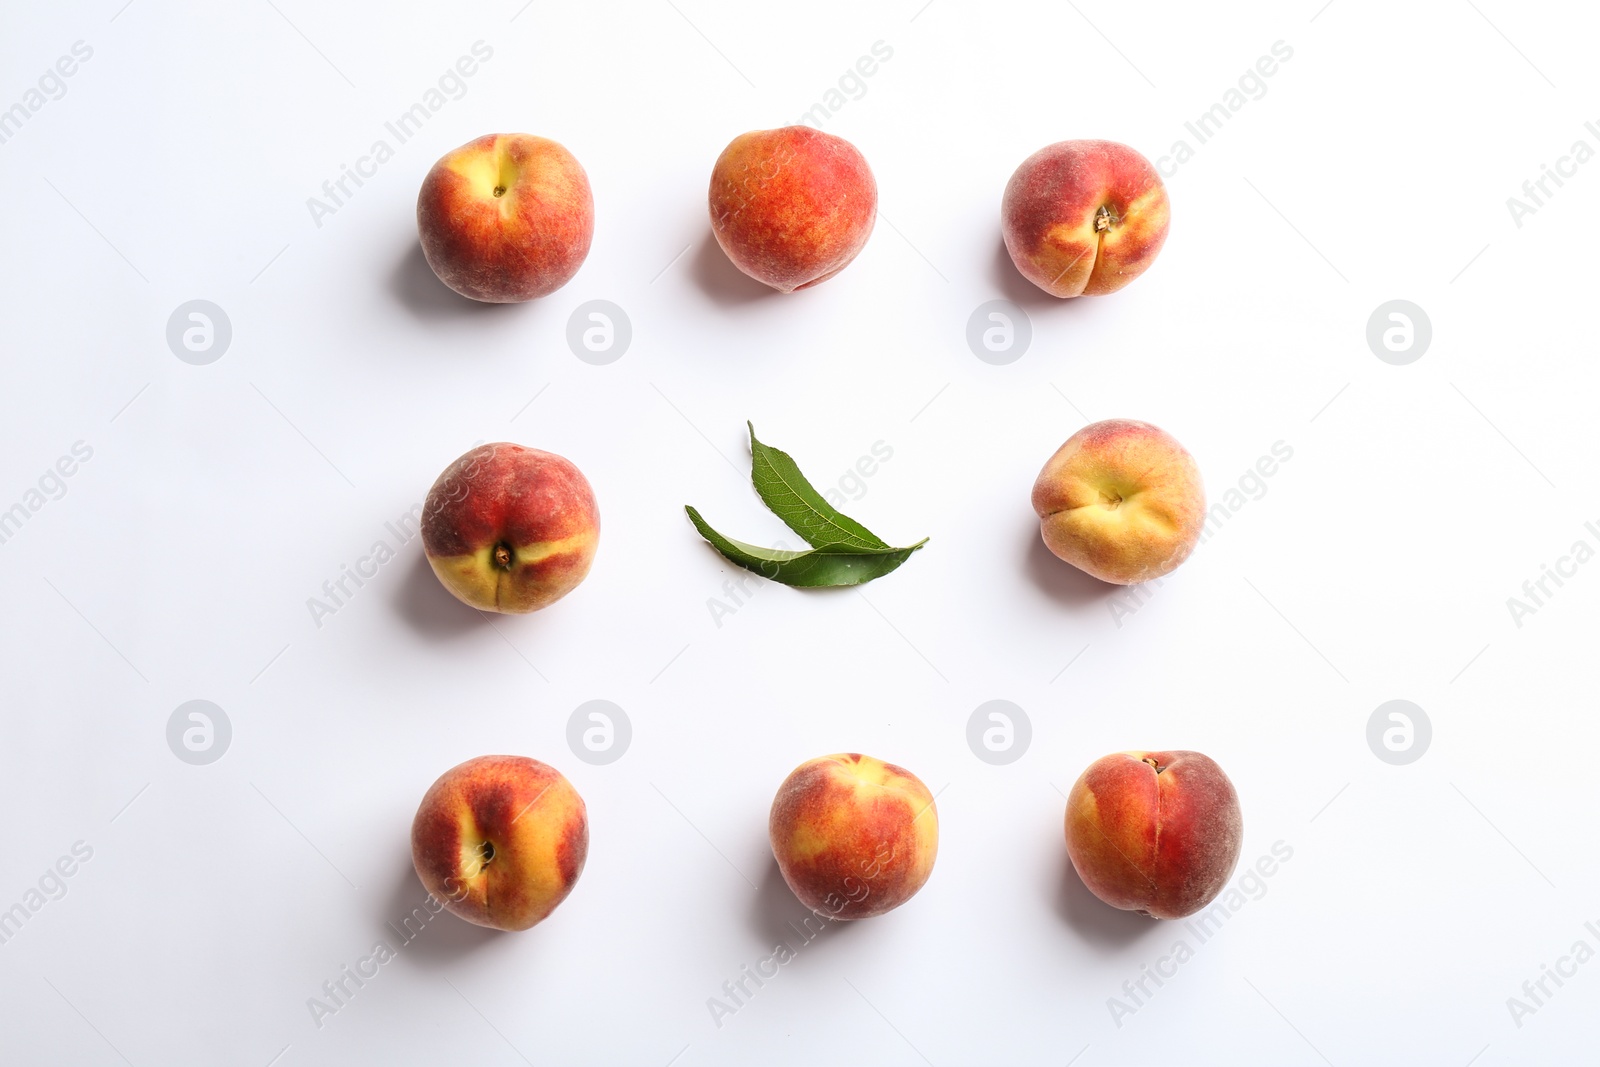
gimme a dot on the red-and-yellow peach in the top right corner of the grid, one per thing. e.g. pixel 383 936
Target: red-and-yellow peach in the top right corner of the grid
pixel 1084 218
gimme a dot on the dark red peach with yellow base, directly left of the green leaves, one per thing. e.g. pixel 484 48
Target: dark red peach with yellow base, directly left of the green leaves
pixel 511 529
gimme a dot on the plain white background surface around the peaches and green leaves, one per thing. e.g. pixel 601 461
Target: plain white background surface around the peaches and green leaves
pixel 218 500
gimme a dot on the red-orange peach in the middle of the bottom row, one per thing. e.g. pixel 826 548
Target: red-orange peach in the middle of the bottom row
pixel 854 836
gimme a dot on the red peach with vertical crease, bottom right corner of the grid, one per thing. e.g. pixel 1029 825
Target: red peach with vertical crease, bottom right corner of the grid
pixel 1154 833
